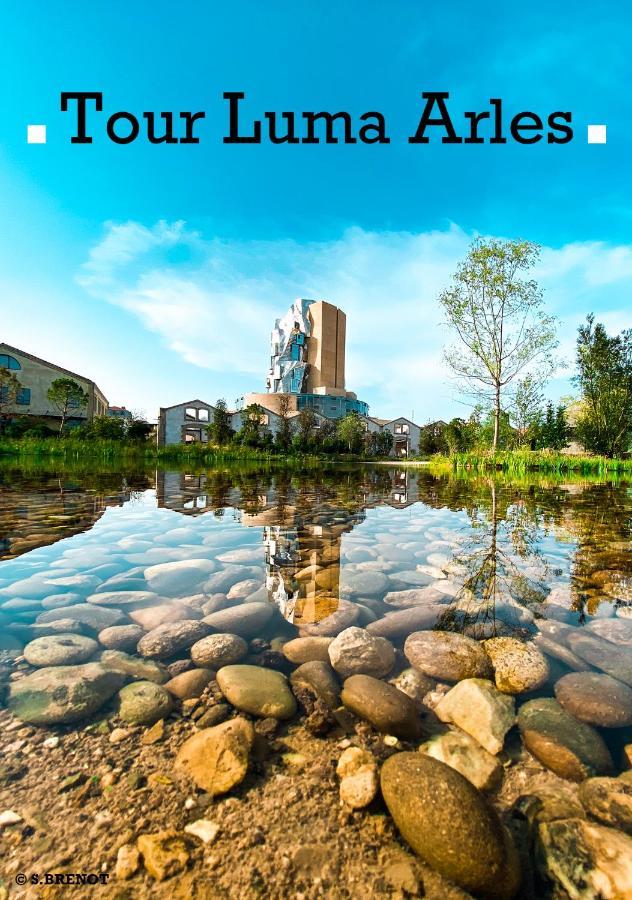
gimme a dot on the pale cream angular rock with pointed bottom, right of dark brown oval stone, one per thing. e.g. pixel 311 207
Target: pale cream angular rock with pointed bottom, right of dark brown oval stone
pixel 479 709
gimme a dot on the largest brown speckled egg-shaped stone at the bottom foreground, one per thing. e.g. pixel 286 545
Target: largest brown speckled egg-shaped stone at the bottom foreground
pixel 449 825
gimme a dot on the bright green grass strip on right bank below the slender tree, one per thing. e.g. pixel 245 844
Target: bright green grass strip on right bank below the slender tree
pixel 522 461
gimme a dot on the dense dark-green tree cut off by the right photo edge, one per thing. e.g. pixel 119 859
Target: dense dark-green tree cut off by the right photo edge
pixel 604 376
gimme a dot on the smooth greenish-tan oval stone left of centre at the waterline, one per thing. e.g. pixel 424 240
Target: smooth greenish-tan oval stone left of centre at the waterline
pixel 260 692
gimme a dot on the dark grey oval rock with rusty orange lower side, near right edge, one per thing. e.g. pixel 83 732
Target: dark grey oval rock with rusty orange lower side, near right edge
pixel 568 747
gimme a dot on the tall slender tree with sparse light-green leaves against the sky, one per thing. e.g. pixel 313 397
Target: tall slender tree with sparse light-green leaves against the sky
pixel 498 318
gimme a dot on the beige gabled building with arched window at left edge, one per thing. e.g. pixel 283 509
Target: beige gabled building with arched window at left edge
pixel 36 376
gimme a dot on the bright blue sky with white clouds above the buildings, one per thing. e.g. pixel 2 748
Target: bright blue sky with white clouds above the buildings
pixel 158 270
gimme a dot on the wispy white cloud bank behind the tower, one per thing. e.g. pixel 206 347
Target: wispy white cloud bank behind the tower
pixel 213 302
